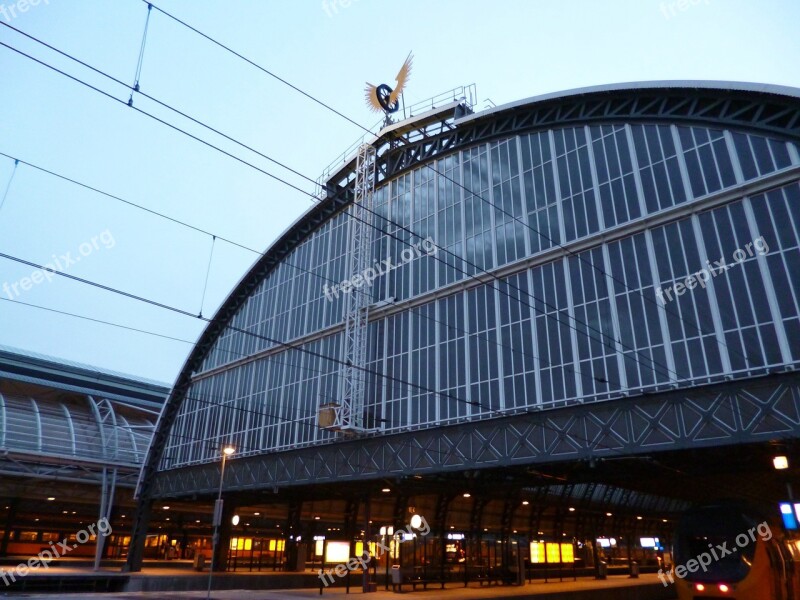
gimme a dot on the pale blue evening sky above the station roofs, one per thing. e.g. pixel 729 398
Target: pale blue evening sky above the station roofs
pixel 328 48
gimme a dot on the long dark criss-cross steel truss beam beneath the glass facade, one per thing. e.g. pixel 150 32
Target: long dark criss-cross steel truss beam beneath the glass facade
pixel 750 411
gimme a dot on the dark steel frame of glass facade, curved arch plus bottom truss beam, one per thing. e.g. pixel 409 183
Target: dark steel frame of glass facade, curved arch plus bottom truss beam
pixel 678 420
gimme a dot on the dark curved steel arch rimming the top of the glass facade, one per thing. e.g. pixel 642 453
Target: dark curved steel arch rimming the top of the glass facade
pixel 769 110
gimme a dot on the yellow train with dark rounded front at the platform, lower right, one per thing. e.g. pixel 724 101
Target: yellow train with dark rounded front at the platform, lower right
pixel 727 550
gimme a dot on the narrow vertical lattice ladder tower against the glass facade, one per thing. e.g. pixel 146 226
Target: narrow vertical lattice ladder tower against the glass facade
pixel 349 415
